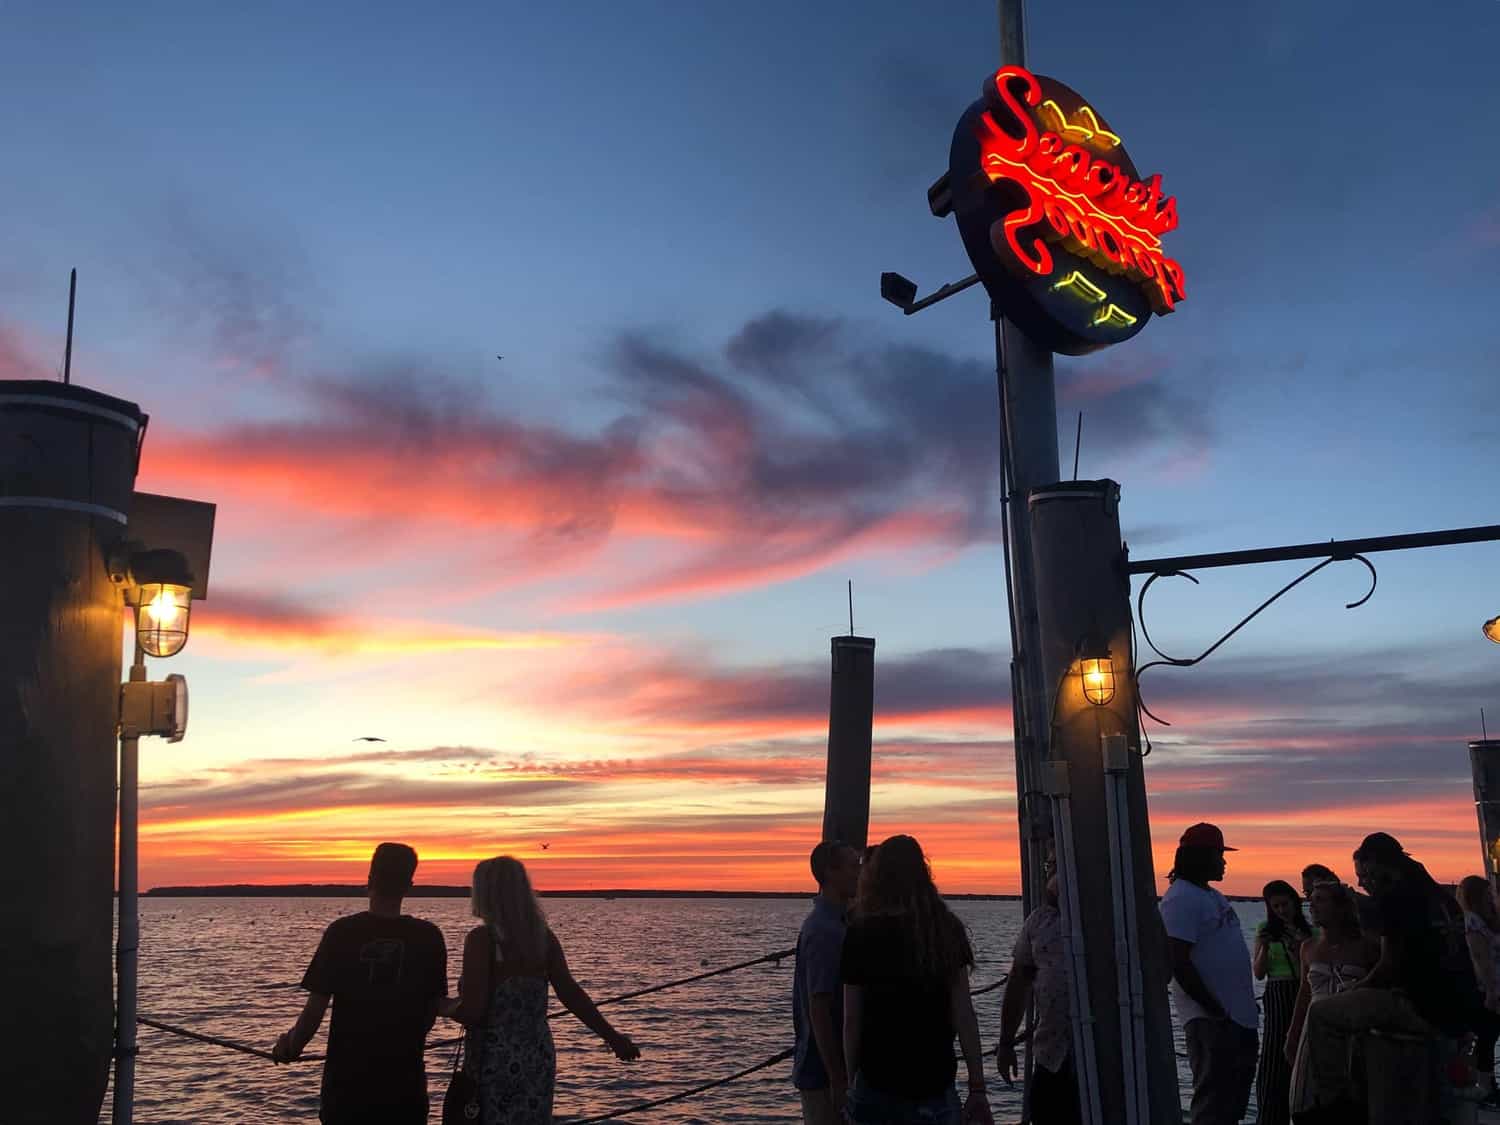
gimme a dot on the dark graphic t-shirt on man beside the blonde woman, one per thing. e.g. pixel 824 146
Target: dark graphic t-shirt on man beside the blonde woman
pixel 385 977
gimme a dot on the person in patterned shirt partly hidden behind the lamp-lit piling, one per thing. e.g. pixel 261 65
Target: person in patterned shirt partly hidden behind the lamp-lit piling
pixel 1040 971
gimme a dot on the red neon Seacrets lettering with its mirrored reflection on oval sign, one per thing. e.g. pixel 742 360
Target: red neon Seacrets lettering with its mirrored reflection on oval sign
pixel 1090 205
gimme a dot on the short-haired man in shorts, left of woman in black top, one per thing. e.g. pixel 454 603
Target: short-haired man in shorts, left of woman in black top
pixel 818 1064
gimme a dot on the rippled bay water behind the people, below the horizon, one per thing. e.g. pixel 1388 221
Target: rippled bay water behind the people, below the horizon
pixel 223 967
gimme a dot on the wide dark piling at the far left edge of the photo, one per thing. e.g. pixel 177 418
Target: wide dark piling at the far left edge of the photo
pixel 68 463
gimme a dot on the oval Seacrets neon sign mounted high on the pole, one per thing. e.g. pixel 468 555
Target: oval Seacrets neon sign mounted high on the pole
pixel 1061 227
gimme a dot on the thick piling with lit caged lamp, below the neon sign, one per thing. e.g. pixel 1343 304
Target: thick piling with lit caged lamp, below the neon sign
pixel 1100 802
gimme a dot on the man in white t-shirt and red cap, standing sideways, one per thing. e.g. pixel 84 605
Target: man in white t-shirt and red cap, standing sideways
pixel 1211 980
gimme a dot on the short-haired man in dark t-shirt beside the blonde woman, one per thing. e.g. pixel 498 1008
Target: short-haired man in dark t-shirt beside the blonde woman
pixel 385 973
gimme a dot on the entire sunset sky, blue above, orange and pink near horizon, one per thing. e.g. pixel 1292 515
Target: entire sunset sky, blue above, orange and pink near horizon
pixel 586 592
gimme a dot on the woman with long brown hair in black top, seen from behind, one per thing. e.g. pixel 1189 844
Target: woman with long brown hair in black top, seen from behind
pixel 905 971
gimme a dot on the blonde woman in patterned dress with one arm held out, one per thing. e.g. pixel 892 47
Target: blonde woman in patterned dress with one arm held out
pixel 509 961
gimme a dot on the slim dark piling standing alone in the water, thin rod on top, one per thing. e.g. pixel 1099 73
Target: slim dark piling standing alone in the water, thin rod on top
pixel 851 719
